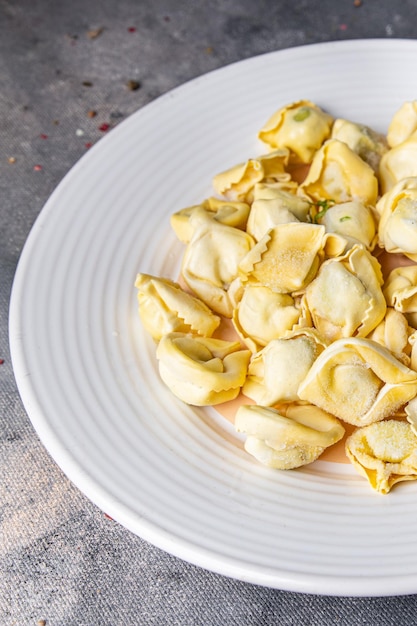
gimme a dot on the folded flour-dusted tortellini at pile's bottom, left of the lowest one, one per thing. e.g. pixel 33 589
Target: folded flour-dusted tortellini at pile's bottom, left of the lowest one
pixel 287 438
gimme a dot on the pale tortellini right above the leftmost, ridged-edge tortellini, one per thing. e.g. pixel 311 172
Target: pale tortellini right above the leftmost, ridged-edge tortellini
pixel 211 261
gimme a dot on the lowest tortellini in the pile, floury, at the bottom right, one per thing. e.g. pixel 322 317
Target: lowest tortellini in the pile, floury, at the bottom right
pixel 384 453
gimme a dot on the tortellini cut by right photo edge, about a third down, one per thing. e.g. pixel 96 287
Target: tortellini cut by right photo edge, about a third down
pixel 397 230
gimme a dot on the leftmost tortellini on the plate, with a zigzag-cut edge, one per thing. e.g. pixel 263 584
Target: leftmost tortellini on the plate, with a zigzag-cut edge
pixel 164 308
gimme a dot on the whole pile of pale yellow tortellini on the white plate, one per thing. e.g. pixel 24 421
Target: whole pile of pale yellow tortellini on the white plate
pixel 308 253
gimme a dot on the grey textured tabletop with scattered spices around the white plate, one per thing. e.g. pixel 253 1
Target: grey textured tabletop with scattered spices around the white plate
pixel 61 559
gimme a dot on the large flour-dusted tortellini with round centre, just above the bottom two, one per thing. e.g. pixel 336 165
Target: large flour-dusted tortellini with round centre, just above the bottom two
pixel 359 381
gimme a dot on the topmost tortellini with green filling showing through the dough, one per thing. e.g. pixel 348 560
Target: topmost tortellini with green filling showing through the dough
pixel 301 127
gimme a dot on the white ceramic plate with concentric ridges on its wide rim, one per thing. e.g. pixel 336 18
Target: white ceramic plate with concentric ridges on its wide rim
pixel 175 475
